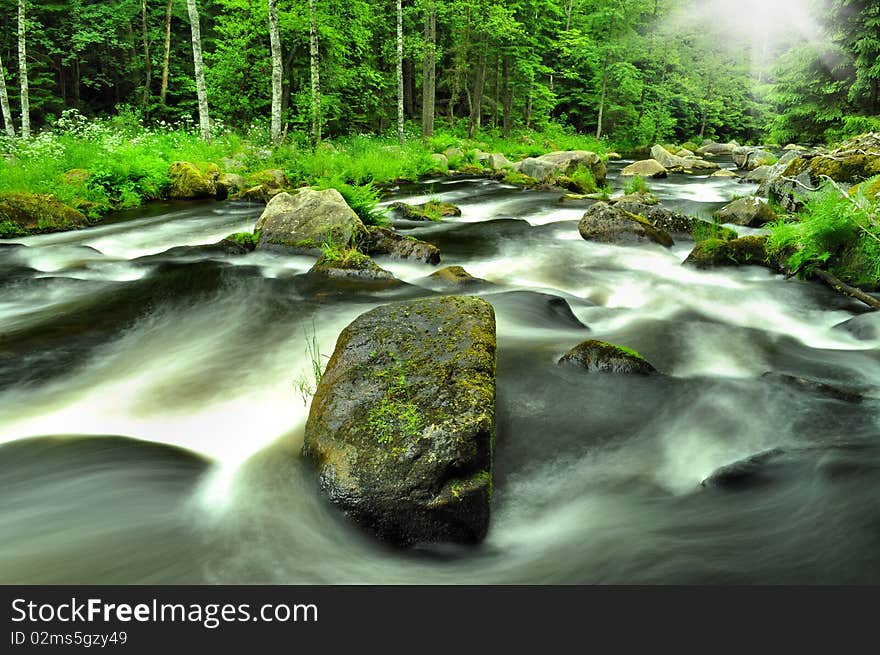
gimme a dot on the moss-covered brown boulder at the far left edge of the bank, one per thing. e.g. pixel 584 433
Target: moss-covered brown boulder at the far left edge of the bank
pixel 28 213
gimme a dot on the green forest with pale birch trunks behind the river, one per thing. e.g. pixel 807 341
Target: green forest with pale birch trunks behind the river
pixel 636 72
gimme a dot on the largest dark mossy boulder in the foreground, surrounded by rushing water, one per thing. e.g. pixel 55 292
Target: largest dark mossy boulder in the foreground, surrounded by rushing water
pixel 402 425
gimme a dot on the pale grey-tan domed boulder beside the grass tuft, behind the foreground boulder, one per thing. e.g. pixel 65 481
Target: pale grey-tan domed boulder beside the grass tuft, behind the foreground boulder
pixel 306 220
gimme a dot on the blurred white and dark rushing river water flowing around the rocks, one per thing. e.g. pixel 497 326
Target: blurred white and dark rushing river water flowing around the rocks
pixel 190 357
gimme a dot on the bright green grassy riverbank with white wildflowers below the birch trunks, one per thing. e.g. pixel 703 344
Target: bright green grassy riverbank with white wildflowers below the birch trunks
pixel 99 166
